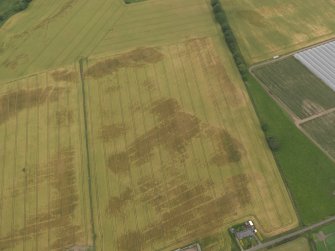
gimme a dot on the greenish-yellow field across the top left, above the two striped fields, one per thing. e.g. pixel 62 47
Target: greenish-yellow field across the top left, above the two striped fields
pixel 51 34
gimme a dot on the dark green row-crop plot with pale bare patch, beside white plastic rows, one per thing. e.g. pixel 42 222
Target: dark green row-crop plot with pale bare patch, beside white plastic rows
pixel 294 85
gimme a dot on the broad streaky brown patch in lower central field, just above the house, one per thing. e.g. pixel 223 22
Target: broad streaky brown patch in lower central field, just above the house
pixel 192 209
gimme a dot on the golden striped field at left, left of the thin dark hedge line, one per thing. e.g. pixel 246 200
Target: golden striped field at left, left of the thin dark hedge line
pixel 43 204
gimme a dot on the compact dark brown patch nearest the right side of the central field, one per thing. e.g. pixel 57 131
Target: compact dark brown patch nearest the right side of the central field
pixel 228 149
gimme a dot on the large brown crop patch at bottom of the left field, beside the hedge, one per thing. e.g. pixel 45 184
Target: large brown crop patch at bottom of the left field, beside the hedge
pixel 61 172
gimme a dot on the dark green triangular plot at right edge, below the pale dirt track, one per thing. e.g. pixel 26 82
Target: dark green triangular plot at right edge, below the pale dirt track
pixel 322 131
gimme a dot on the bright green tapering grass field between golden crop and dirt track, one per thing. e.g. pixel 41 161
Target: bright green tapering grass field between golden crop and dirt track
pixel 307 171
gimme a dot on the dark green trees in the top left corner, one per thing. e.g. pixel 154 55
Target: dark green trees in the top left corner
pixel 10 7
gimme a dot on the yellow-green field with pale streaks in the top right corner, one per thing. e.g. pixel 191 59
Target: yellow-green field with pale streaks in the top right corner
pixel 268 28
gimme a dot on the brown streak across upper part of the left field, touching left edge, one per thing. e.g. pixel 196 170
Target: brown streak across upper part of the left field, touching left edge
pixel 15 101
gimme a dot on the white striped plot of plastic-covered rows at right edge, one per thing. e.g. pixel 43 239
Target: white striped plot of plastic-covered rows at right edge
pixel 321 61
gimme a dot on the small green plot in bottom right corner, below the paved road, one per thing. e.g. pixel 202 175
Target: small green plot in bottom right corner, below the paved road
pixel 324 238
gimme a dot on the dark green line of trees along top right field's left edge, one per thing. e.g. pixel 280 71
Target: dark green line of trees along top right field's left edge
pixel 221 18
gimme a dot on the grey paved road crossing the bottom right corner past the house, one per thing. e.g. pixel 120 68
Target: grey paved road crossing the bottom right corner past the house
pixel 290 235
